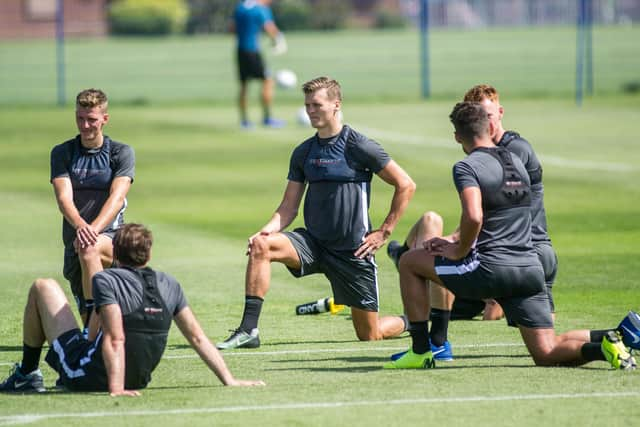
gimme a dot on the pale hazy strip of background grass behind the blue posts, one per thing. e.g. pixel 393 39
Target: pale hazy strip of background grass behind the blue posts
pixel 373 65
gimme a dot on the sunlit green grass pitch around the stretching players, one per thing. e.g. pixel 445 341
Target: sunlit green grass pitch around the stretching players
pixel 203 187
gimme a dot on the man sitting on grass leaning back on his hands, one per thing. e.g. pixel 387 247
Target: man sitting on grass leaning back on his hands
pixel 135 306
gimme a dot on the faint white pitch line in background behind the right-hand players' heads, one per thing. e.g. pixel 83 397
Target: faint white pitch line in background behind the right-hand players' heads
pixel 408 139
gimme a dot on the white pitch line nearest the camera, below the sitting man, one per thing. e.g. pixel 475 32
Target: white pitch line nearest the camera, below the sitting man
pixel 29 418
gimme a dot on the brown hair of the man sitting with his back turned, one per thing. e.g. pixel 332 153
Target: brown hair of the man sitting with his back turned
pixel 132 245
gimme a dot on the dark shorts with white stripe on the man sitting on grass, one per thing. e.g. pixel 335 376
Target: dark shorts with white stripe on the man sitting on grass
pixel 78 362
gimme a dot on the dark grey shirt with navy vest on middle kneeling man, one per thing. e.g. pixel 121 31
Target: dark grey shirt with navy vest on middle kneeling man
pixel 338 171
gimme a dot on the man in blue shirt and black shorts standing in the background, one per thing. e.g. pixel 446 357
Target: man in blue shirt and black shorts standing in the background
pixel 250 18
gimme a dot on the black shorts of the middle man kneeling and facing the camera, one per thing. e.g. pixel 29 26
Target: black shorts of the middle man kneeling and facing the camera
pixel 354 281
